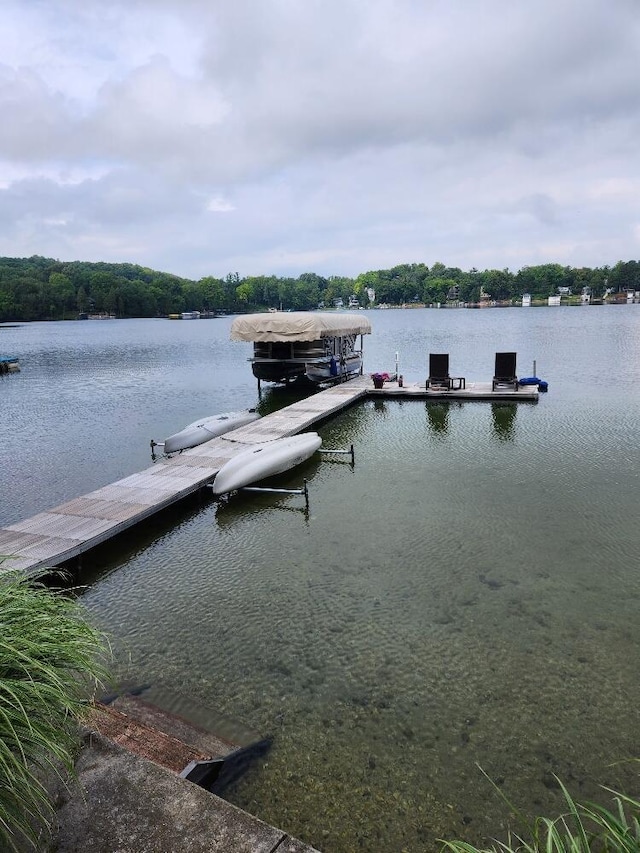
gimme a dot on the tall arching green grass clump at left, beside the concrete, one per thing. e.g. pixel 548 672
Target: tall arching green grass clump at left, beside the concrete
pixel 51 660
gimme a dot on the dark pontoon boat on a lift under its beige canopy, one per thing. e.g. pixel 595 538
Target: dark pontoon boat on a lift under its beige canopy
pixel 290 345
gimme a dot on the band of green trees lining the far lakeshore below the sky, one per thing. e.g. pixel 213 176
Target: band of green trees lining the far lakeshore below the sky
pixel 40 288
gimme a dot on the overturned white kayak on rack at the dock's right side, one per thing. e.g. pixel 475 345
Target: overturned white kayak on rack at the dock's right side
pixel 265 460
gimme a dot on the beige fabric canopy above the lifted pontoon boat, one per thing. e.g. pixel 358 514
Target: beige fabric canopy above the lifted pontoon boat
pixel 297 326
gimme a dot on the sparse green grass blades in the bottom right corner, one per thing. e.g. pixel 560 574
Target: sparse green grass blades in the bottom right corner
pixel 583 828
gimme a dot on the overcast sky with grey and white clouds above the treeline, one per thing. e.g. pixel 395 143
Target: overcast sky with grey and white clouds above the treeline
pixel 276 137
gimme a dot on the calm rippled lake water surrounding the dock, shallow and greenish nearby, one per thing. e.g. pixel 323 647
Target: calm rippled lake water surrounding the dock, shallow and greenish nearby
pixel 466 596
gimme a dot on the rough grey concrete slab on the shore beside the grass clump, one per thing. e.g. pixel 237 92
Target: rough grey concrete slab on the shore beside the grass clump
pixel 126 804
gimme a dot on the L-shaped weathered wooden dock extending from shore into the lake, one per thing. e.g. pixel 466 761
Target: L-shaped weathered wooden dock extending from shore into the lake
pixel 69 530
